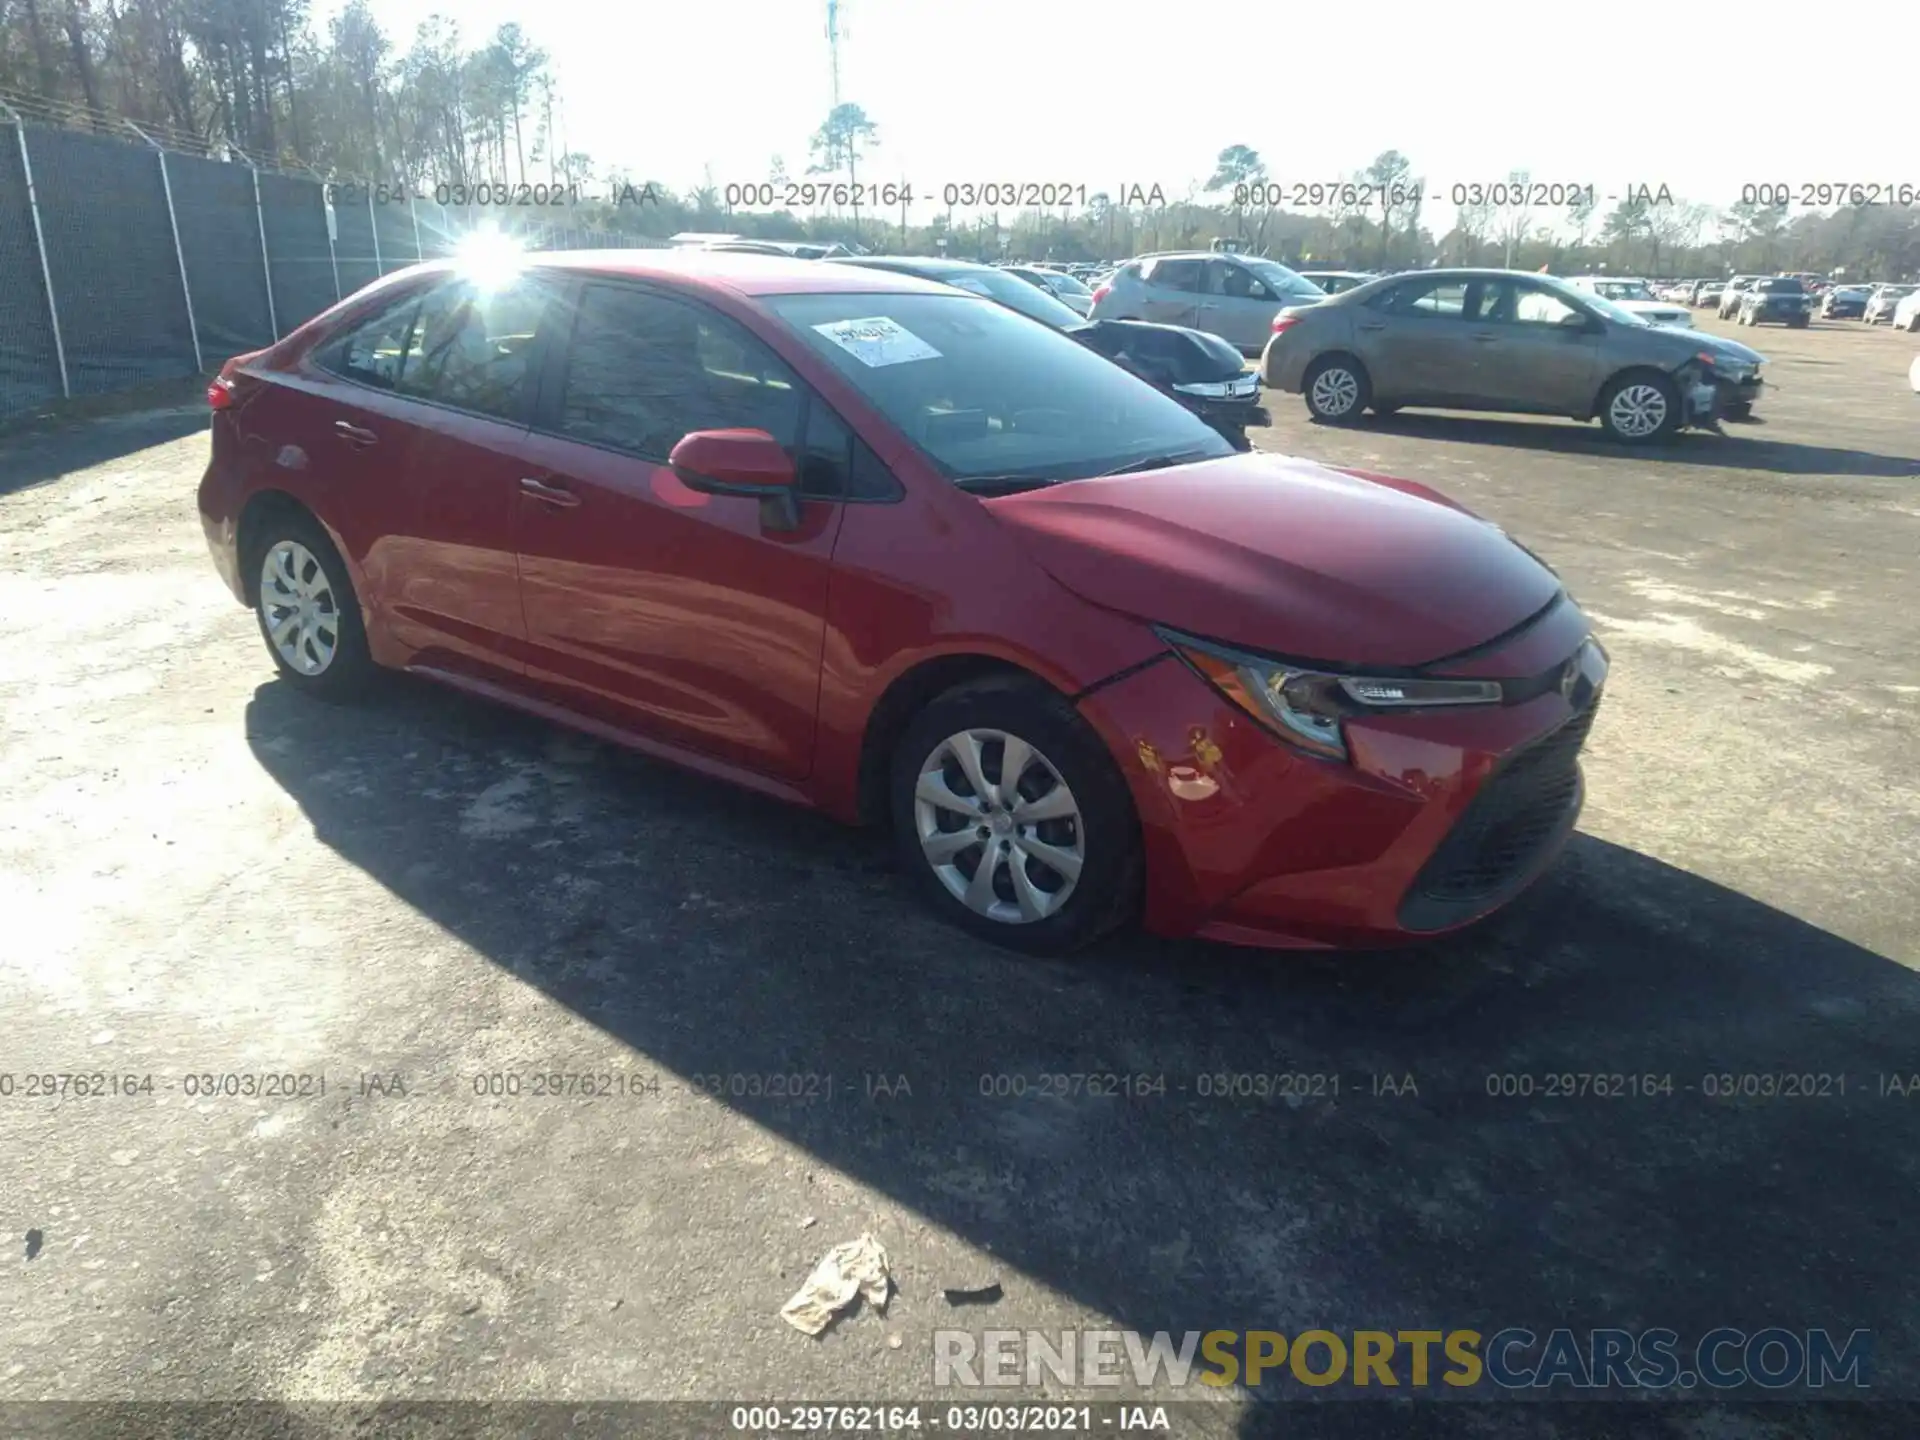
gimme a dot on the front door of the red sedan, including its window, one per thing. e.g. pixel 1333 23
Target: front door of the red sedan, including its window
pixel 650 606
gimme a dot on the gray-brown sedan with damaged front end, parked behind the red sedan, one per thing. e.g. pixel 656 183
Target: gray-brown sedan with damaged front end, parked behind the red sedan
pixel 1506 341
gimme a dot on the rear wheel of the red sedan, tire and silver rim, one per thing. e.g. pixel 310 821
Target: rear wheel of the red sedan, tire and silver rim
pixel 306 610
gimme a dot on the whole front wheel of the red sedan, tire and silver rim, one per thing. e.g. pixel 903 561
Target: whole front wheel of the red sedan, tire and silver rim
pixel 1013 819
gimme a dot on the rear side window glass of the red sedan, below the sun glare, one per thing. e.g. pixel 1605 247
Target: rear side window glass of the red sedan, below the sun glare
pixel 458 347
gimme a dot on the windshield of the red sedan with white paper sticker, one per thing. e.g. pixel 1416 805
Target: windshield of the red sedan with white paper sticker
pixel 988 395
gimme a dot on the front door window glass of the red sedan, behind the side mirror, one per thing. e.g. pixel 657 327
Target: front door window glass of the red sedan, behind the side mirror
pixel 642 372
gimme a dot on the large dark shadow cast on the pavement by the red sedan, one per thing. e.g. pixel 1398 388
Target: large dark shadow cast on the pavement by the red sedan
pixel 1433 1176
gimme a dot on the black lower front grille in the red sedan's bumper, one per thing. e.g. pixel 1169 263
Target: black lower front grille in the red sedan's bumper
pixel 1524 811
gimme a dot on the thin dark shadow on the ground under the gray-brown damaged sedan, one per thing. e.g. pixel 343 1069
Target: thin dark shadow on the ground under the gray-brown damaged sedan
pixel 1740 448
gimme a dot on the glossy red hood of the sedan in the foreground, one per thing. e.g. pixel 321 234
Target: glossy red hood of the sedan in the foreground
pixel 1287 558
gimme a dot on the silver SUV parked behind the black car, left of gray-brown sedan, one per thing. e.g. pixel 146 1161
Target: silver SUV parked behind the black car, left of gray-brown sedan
pixel 1232 297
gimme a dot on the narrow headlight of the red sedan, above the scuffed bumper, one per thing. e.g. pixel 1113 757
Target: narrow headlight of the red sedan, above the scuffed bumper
pixel 1308 708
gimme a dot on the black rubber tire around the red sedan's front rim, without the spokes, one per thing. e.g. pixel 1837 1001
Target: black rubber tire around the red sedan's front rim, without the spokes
pixel 1107 830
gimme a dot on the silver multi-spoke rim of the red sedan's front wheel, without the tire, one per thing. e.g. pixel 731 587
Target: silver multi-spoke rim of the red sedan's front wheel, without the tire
pixel 999 827
